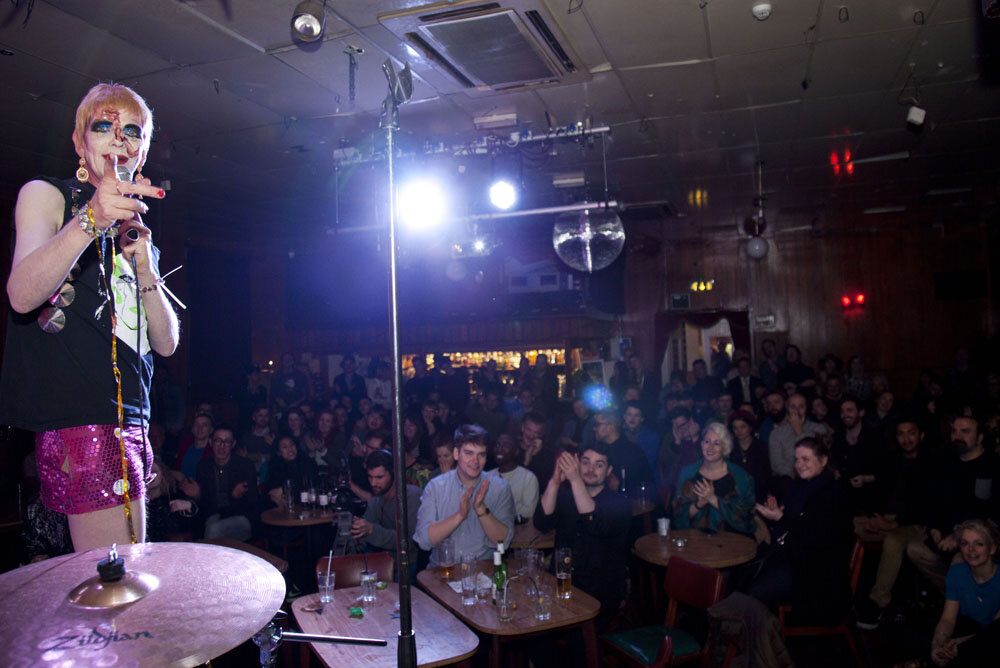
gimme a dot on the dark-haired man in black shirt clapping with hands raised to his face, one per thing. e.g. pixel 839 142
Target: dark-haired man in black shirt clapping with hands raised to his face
pixel 592 520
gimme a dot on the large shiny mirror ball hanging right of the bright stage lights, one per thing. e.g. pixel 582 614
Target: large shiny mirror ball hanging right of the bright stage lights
pixel 588 240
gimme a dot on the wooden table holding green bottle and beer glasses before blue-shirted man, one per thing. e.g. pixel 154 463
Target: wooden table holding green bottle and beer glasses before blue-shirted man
pixel 579 610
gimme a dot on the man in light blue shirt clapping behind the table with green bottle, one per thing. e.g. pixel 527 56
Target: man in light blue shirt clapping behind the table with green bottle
pixel 474 511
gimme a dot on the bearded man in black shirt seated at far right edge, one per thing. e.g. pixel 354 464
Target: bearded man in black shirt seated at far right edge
pixel 964 487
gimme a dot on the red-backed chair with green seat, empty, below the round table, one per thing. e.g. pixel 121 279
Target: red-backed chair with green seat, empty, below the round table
pixel 686 582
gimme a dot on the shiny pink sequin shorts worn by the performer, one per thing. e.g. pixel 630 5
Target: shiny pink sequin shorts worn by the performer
pixel 80 468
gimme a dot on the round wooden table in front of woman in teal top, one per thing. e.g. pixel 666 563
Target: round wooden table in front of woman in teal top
pixel 720 550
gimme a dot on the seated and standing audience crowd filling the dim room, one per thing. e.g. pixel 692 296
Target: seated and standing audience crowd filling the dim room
pixel 802 459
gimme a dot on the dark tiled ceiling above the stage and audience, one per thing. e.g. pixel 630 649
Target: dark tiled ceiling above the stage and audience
pixel 695 93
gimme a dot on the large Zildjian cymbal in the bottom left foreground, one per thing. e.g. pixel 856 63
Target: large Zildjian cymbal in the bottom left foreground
pixel 208 600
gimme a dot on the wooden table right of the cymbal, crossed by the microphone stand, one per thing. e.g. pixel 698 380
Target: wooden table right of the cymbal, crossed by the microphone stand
pixel 441 638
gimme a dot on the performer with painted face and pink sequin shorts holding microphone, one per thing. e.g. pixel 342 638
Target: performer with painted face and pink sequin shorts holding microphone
pixel 70 365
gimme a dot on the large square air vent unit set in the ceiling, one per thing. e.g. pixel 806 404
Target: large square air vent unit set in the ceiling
pixel 491 45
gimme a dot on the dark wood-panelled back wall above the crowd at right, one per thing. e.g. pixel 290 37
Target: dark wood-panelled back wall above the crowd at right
pixel 902 327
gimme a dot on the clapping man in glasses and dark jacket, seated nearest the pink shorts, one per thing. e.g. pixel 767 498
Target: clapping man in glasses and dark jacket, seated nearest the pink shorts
pixel 226 488
